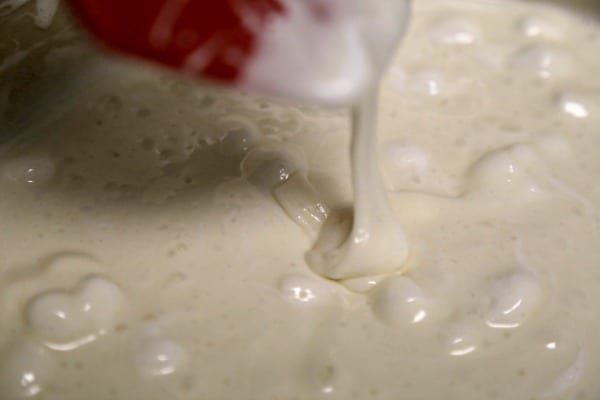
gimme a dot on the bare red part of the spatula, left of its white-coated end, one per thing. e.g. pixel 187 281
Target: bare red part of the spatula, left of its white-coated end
pixel 206 38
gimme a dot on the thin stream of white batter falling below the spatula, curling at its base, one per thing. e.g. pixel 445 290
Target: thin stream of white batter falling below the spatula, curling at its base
pixel 376 243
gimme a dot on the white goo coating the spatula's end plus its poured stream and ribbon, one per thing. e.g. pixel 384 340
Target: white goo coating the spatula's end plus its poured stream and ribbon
pixel 296 60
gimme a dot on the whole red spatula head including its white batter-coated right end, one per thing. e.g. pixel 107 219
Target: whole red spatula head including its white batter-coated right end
pixel 314 50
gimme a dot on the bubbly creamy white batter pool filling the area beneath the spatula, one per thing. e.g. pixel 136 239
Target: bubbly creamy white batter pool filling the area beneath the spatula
pixel 154 232
